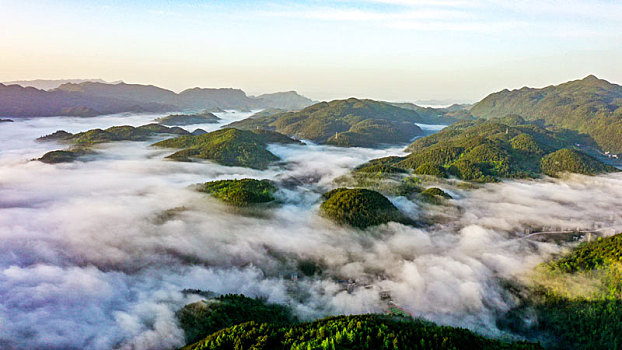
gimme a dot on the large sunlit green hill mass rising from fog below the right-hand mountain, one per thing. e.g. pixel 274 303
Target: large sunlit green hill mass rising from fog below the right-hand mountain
pixel 486 150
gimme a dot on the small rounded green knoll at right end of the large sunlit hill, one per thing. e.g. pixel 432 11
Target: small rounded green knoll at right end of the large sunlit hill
pixel 571 161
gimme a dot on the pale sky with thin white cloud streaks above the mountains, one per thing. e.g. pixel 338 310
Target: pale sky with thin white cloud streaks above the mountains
pixel 398 50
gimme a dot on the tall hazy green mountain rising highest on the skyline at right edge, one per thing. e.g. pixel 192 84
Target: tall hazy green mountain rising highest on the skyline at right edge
pixel 590 105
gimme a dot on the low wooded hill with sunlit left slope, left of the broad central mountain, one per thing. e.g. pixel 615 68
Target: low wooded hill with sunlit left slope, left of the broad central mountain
pixel 228 146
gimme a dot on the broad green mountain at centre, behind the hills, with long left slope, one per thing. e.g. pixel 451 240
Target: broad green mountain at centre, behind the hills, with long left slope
pixel 347 123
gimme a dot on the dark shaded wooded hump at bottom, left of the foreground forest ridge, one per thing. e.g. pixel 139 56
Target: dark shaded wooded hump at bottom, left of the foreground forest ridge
pixel 203 318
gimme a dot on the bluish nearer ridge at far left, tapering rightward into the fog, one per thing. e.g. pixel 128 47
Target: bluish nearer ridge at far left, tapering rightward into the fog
pixel 18 101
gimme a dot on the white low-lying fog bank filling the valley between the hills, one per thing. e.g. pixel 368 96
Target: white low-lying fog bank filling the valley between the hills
pixel 92 256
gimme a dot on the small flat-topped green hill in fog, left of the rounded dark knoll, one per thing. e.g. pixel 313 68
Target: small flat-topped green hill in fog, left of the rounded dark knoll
pixel 242 192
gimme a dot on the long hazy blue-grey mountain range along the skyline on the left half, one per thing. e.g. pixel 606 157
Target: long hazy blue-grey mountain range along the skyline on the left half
pixel 96 98
